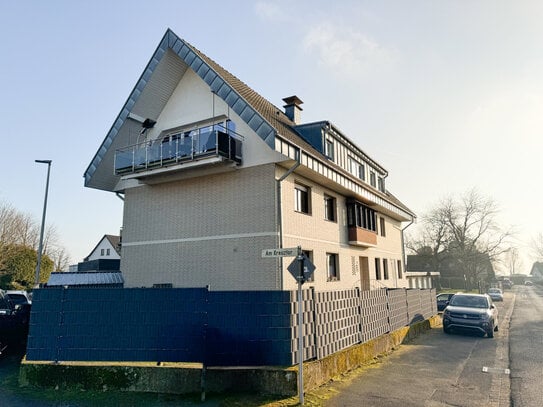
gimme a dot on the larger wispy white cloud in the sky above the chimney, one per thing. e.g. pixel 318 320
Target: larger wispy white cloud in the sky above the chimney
pixel 346 51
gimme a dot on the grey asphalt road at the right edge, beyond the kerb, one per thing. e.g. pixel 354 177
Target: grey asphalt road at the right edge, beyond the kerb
pixel 526 347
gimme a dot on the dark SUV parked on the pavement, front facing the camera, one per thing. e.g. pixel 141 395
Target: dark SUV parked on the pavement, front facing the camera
pixel 475 312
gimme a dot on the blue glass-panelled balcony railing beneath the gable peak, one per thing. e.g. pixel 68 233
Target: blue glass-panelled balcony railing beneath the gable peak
pixel 175 149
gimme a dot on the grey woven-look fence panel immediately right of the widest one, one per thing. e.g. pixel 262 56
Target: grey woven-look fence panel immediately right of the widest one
pixel 374 314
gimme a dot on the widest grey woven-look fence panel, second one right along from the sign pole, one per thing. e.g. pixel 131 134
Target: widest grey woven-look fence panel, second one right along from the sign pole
pixel 338 321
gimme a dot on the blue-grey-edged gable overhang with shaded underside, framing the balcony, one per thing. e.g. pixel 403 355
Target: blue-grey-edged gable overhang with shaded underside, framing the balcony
pixel 151 93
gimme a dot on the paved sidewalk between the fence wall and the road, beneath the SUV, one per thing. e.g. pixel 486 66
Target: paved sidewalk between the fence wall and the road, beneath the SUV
pixel 436 370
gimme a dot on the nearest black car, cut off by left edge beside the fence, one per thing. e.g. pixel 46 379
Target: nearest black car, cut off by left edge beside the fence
pixel 14 321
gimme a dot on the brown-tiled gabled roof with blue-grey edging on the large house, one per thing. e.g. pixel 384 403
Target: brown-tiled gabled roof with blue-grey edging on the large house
pixel 264 118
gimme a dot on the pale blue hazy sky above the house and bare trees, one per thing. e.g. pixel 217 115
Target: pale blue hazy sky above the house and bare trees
pixel 446 95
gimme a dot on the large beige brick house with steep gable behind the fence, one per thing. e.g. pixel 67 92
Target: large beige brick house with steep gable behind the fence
pixel 213 174
